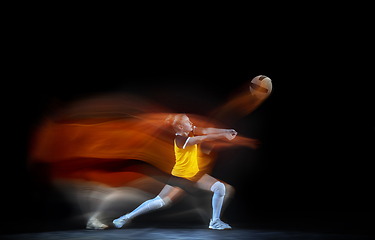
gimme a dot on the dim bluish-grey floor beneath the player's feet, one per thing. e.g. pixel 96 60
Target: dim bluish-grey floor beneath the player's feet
pixel 195 232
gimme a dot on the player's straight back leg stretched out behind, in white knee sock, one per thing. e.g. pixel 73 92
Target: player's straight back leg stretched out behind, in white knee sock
pixel 165 197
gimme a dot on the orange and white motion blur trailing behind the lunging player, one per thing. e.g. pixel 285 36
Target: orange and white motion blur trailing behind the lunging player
pixel 110 152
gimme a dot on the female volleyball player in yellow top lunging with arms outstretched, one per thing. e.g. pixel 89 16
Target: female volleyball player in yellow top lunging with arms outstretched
pixel 185 173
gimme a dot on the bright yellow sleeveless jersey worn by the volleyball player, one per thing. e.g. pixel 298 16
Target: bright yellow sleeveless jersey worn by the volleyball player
pixel 186 160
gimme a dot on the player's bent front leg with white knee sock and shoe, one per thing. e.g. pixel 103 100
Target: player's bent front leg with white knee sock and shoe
pixel 218 188
